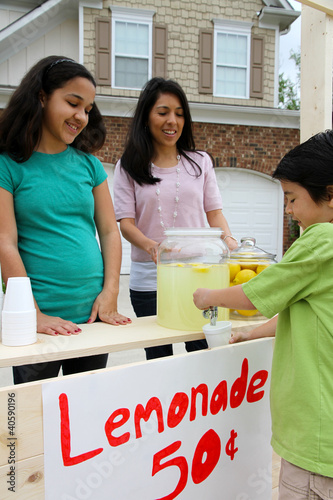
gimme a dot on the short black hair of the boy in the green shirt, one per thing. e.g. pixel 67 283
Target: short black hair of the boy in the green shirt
pixel 310 165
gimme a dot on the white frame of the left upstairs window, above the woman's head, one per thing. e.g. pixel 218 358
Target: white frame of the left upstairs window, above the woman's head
pixel 136 16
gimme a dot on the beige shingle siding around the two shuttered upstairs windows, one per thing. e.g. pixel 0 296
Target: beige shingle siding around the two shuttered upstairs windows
pixel 183 41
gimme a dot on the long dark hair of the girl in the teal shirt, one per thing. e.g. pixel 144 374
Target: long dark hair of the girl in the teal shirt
pixel 21 121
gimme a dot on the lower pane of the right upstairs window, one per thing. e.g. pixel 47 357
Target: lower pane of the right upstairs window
pixel 231 82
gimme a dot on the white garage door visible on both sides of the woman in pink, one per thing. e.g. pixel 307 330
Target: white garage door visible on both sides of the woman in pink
pixel 252 204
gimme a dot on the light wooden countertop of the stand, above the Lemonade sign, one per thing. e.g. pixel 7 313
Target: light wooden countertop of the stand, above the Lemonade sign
pixel 99 338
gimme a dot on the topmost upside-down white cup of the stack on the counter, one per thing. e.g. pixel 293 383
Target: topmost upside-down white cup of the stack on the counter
pixel 18 296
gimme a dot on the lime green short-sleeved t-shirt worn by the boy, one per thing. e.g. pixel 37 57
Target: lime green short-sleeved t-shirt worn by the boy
pixel 300 289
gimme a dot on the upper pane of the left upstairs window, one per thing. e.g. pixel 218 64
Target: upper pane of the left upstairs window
pixel 131 39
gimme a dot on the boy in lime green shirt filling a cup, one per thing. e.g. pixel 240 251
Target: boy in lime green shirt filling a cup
pixel 297 294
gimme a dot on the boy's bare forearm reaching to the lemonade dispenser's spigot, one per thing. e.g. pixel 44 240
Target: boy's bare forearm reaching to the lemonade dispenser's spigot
pixel 231 298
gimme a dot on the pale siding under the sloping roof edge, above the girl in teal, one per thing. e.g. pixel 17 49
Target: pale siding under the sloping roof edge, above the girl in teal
pixel 62 40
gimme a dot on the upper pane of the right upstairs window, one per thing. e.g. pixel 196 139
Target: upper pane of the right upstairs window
pixel 231 49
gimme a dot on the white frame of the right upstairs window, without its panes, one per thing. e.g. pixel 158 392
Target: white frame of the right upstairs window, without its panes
pixel 227 26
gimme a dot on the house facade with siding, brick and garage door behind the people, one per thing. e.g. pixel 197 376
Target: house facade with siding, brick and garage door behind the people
pixel 225 55
